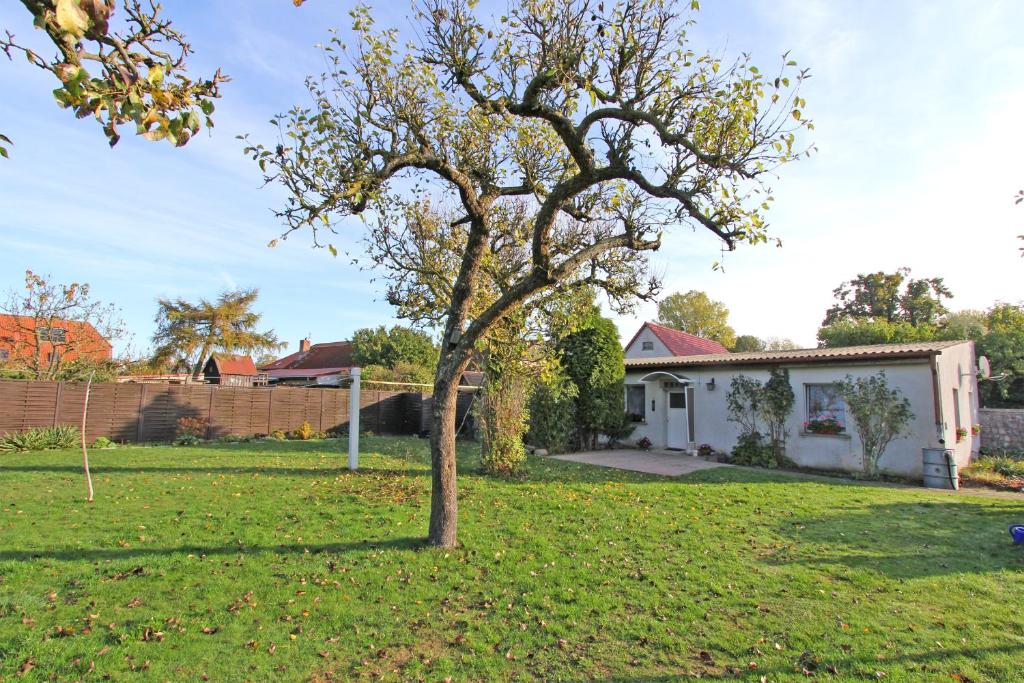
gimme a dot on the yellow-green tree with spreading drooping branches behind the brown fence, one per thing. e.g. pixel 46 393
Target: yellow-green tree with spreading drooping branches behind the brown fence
pixel 188 333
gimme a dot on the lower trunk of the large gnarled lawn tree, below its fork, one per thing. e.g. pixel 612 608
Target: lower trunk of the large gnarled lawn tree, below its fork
pixel 444 495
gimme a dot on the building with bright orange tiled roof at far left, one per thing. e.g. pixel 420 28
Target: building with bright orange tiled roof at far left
pixel 32 343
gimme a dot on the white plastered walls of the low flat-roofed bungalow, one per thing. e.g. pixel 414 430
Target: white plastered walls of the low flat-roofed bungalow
pixel 841 452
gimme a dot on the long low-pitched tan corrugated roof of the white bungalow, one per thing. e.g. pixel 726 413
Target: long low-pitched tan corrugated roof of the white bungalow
pixel 866 353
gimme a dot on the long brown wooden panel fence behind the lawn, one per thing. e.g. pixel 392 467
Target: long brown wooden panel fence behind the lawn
pixel 144 413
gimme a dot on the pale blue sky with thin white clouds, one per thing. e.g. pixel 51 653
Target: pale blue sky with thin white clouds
pixel 918 109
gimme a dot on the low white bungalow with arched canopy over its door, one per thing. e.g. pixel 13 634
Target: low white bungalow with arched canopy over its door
pixel 678 402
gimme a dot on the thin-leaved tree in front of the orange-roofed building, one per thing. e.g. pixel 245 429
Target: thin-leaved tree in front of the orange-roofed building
pixel 59 332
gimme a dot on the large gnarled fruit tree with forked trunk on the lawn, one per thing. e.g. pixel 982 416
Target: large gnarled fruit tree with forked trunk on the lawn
pixel 598 116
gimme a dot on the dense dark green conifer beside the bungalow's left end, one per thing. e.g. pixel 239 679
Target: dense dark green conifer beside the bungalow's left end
pixel 593 359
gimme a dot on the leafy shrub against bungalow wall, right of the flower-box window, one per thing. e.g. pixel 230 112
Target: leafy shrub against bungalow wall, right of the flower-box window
pixel 880 414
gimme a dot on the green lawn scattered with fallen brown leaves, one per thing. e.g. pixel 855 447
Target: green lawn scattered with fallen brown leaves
pixel 273 562
